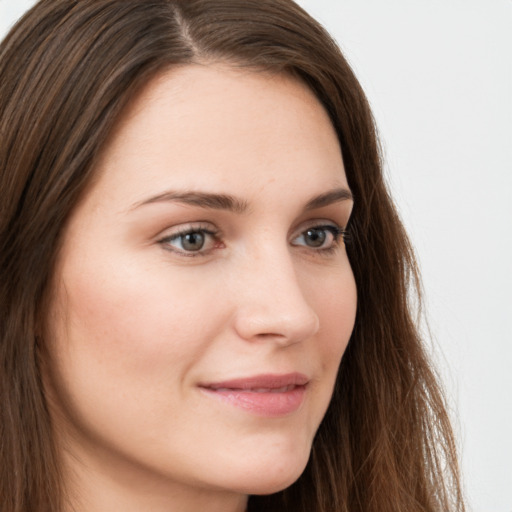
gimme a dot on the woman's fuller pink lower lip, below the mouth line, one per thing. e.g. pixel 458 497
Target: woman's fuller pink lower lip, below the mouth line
pixel 266 404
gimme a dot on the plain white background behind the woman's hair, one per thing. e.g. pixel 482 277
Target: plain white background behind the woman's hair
pixel 439 77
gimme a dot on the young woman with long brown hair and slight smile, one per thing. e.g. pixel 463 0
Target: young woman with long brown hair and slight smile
pixel 191 194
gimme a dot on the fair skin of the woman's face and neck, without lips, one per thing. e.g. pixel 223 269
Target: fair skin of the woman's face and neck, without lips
pixel 137 323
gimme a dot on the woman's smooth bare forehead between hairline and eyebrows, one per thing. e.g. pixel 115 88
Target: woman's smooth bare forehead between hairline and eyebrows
pixel 229 126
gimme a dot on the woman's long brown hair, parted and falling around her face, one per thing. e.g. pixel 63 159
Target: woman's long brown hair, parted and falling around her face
pixel 67 71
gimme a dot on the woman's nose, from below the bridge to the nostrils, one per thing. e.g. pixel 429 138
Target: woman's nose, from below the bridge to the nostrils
pixel 271 303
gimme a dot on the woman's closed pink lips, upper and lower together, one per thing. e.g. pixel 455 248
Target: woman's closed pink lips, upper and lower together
pixel 268 395
